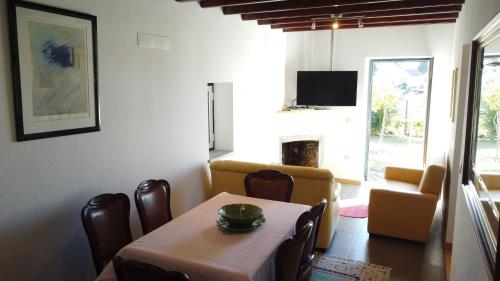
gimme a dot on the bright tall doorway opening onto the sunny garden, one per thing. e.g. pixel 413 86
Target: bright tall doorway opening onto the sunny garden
pixel 398 111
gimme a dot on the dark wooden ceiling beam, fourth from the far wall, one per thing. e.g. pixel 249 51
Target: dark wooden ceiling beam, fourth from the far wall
pixel 387 6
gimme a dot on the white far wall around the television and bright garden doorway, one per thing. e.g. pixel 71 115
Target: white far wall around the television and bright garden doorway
pixel 345 127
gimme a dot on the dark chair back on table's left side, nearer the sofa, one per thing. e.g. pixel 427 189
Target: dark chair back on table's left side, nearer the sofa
pixel 152 199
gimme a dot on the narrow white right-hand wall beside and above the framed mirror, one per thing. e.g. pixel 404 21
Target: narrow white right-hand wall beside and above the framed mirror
pixel 474 16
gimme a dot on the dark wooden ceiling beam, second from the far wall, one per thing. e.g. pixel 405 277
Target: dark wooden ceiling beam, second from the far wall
pixel 368 22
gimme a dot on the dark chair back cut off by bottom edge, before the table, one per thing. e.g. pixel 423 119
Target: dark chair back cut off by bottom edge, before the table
pixel 131 270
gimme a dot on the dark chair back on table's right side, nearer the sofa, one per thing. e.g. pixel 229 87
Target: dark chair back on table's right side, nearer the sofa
pixel 313 215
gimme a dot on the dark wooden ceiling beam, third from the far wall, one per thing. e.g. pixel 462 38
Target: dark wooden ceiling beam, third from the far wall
pixel 392 13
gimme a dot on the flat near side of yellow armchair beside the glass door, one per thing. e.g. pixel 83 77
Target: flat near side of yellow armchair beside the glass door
pixel 406 215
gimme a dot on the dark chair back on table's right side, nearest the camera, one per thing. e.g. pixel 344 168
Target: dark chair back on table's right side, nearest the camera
pixel 289 254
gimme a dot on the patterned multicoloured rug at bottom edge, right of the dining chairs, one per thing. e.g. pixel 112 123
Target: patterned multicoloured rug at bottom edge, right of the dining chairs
pixel 330 268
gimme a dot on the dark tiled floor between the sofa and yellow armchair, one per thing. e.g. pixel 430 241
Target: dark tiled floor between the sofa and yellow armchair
pixel 408 260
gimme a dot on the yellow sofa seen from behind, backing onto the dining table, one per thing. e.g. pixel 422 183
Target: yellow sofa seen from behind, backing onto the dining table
pixel 310 186
